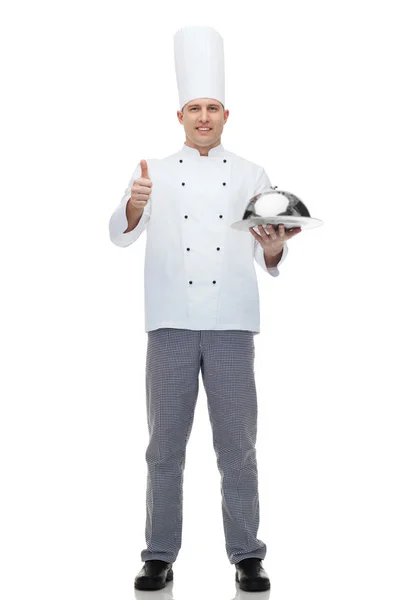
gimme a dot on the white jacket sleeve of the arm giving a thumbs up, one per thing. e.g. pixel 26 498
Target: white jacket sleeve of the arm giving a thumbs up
pixel 118 222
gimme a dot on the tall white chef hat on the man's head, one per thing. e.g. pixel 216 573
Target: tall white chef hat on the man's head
pixel 199 60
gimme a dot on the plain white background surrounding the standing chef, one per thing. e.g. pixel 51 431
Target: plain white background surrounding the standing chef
pixel 316 93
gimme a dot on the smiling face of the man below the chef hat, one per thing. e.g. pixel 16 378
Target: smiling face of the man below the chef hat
pixel 203 112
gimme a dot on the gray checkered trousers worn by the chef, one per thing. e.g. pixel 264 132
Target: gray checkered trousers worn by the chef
pixel 173 362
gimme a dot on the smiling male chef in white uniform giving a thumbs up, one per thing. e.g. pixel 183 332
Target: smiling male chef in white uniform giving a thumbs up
pixel 201 313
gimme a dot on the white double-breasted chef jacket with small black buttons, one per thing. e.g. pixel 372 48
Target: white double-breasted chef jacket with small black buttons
pixel 199 272
